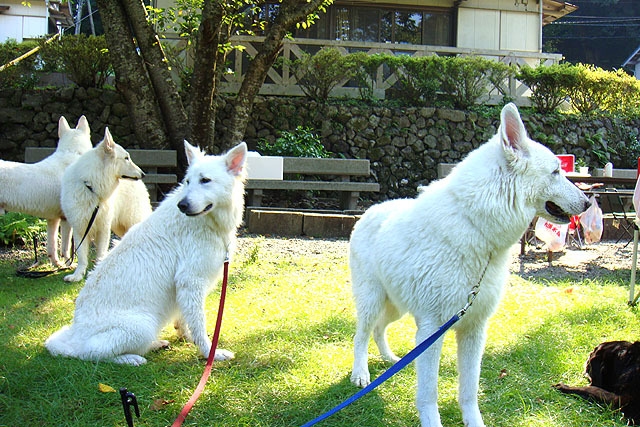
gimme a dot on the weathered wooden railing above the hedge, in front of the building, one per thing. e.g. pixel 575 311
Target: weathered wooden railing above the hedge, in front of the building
pixel 281 81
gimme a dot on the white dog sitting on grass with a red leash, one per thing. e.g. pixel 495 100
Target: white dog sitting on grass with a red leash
pixel 162 269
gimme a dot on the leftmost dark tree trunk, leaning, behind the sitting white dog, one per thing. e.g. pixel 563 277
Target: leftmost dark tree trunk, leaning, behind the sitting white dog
pixel 131 76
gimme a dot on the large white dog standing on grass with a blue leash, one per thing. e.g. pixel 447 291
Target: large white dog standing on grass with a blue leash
pixel 424 255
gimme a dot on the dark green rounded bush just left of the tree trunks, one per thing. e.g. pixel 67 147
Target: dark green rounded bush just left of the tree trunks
pixel 85 59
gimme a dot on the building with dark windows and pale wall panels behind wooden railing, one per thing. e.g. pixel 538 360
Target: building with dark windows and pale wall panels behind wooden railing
pixel 504 30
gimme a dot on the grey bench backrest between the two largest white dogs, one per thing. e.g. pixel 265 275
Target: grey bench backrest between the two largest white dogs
pixel 316 166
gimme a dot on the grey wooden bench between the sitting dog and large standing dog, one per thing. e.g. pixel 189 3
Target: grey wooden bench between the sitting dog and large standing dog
pixel 342 169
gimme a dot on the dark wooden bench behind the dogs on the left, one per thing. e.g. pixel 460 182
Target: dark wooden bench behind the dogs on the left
pixel 148 160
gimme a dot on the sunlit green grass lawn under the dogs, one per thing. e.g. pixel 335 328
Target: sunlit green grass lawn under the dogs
pixel 290 321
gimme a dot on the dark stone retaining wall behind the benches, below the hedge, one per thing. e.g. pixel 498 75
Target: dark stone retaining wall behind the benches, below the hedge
pixel 404 144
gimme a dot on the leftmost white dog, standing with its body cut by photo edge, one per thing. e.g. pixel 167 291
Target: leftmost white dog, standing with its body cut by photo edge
pixel 34 189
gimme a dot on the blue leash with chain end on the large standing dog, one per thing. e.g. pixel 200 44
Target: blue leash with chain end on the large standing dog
pixel 409 357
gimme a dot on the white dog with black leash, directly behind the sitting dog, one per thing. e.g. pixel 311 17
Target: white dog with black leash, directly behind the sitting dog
pixel 94 183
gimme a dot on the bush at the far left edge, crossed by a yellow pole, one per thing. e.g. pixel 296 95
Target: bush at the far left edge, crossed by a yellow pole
pixel 23 74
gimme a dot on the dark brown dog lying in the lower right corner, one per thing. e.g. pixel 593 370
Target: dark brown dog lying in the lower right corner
pixel 614 370
